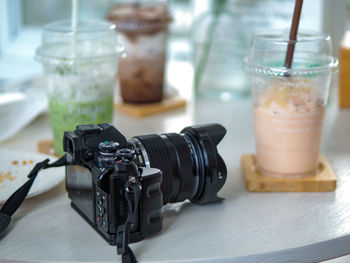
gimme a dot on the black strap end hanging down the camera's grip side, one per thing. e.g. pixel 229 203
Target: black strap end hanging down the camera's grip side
pixel 132 189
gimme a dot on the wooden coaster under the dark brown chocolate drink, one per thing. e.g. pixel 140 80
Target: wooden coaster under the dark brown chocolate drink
pixel 143 110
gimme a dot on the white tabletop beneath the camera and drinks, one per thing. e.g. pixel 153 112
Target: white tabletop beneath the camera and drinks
pixel 246 227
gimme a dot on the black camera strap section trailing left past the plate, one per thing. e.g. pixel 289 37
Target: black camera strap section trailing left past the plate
pixel 16 199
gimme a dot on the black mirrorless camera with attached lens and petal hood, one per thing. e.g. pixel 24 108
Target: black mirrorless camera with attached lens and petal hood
pixel 120 186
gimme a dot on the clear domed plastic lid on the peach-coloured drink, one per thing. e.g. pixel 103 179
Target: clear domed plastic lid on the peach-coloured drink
pixel 312 54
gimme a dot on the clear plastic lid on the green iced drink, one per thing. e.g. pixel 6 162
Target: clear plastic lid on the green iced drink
pixel 92 40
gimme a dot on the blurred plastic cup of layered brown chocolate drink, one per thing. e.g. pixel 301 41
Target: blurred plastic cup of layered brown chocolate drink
pixel 143 31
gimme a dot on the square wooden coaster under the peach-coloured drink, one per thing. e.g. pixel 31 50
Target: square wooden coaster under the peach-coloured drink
pixel 324 181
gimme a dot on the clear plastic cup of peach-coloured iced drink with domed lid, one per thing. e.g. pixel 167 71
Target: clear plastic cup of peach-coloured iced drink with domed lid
pixel 289 105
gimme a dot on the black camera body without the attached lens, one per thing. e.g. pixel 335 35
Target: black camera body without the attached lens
pixel 99 184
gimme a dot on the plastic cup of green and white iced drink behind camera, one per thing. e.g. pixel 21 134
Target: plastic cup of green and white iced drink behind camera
pixel 80 70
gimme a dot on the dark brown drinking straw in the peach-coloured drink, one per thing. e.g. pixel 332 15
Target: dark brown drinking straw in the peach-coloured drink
pixel 293 34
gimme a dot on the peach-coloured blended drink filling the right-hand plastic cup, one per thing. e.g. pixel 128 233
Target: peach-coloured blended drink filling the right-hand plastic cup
pixel 288 128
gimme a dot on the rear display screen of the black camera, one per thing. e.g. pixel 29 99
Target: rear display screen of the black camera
pixel 79 187
